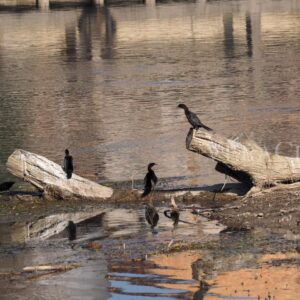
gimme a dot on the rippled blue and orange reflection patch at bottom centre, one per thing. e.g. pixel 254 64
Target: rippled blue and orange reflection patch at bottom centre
pixel 163 277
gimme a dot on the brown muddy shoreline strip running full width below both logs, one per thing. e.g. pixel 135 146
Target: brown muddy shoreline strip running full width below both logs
pixel 276 211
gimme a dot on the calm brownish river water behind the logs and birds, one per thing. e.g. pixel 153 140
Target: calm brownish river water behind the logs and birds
pixel 106 82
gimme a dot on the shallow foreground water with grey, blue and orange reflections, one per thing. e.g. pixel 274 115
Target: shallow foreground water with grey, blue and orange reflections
pixel 120 268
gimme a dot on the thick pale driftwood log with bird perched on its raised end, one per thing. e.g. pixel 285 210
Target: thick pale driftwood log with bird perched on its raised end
pixel 244 160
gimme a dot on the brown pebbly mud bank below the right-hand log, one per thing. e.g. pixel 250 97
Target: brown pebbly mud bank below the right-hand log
pixel 278 210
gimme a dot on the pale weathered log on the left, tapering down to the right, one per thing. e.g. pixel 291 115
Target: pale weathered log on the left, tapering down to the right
pixel 51 179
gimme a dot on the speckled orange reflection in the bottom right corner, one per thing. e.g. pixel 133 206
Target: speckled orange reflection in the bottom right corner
pixel 267 282
